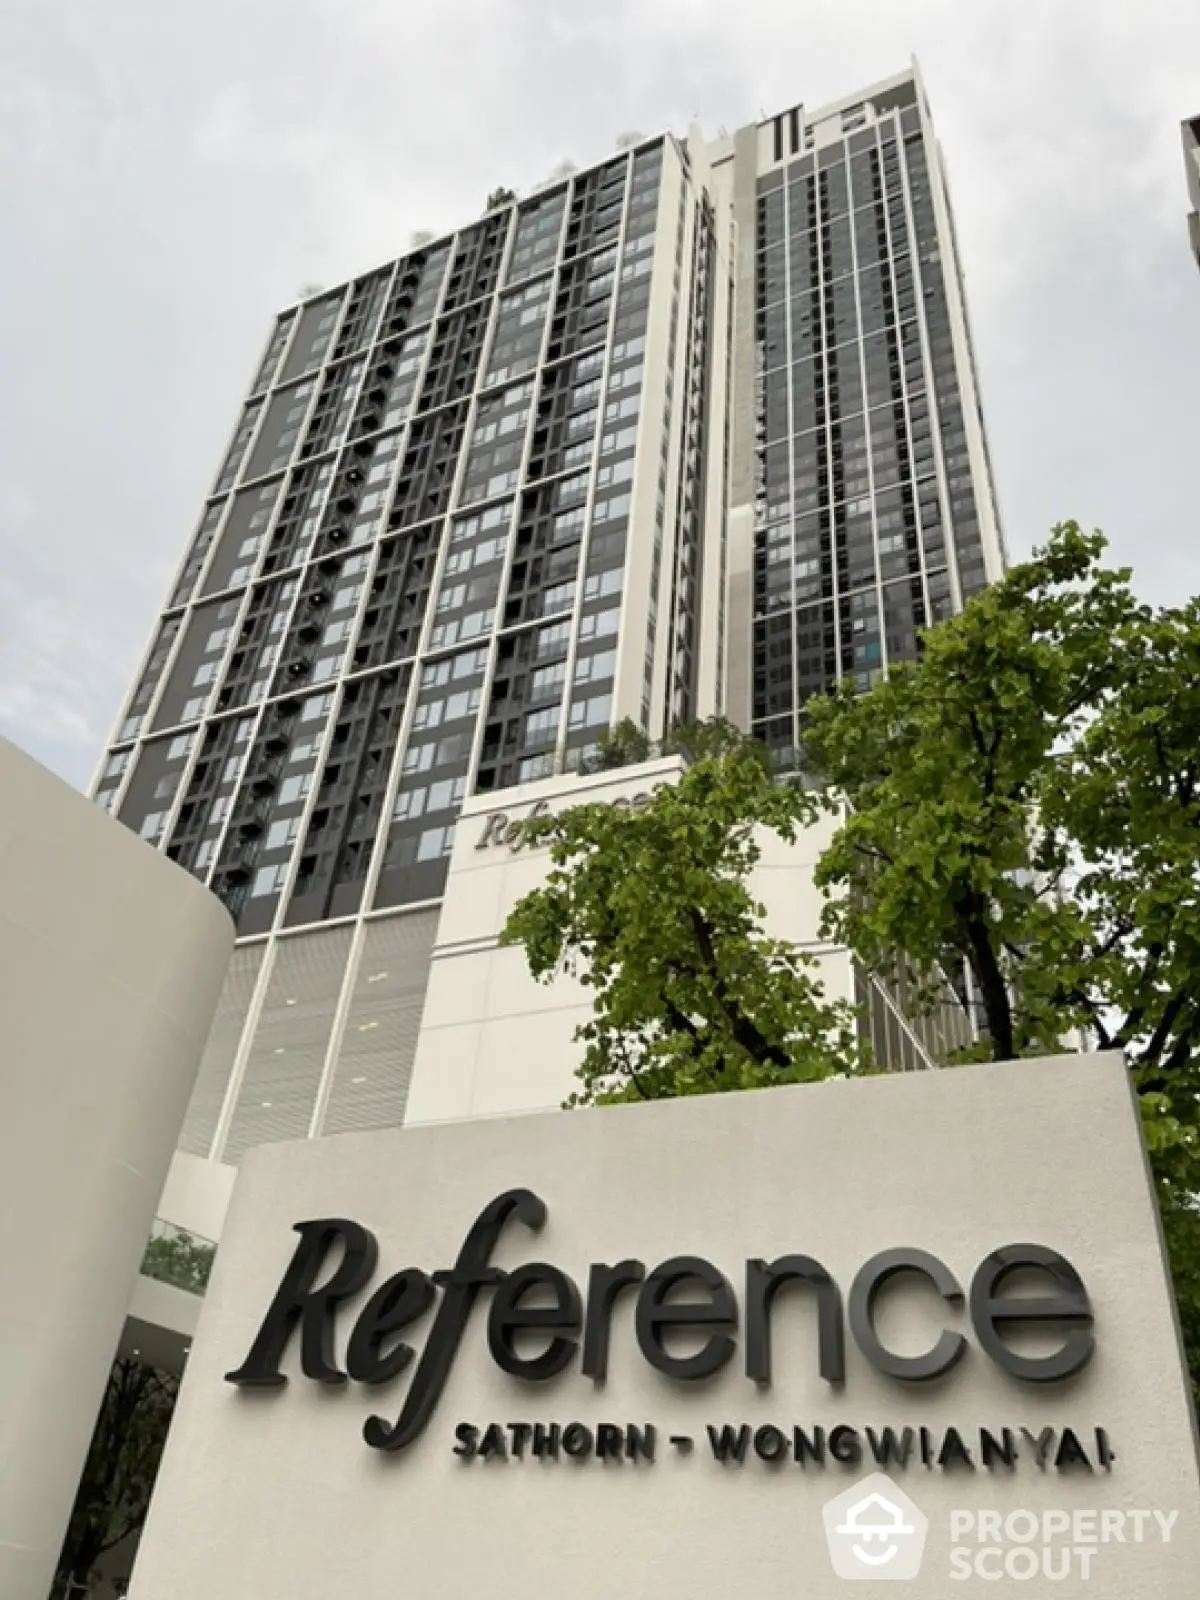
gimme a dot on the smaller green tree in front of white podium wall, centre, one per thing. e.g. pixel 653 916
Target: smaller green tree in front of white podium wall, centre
pixel 652 911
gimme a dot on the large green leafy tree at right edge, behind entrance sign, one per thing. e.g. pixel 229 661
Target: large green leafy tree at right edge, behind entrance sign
pixel 1023 804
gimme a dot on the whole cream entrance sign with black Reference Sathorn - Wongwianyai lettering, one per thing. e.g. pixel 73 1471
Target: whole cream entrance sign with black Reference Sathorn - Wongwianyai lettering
pixel 694 1348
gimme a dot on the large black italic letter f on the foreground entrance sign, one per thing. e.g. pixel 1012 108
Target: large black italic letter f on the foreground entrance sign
pixel 460 1286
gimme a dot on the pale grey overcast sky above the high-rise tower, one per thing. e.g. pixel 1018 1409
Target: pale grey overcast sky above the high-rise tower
pixel 172 175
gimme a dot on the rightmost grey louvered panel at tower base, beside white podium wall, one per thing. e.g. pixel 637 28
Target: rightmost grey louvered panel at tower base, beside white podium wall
pixel 370 1084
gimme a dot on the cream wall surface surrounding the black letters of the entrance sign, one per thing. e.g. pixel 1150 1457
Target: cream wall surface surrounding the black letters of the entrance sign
pixel 274 1495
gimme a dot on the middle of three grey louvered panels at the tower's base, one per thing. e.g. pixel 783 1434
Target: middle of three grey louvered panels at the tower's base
pixel 284 1071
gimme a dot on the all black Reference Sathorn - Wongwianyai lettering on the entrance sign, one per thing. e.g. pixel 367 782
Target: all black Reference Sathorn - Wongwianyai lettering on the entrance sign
pixel 337 1260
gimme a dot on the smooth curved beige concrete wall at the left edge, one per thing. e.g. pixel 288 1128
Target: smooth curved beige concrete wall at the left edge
pixel 111 966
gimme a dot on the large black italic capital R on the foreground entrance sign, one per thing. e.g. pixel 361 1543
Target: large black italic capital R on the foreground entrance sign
pixel 302 1305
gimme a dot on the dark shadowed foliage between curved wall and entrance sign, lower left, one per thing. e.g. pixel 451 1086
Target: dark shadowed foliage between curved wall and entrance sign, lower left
pixel 122 1465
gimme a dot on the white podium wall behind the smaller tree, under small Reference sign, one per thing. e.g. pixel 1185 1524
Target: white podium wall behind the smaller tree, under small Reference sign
pixel 495 1042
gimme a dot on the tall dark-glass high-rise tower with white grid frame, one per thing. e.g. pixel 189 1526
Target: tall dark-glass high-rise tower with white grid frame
pixel 692 431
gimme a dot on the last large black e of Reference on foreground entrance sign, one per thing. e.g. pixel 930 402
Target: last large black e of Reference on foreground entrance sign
pixel 1068 1306
